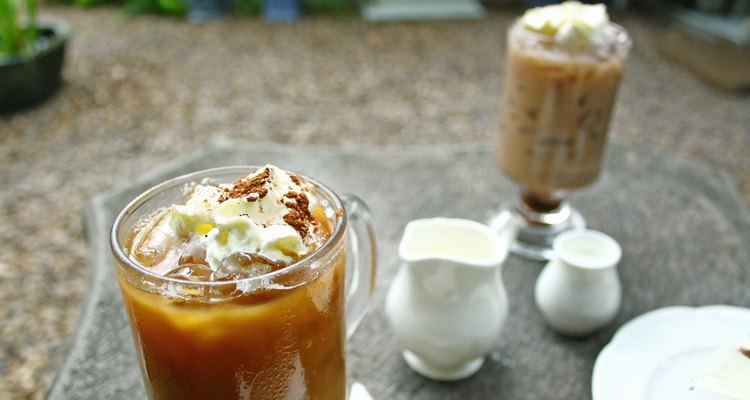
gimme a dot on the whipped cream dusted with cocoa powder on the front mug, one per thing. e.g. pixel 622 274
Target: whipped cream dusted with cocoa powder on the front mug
pixel 266 213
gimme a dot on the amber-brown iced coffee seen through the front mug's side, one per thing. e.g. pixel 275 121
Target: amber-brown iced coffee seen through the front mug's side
pixel 271 344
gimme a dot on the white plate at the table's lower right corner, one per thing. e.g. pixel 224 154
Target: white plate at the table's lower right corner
pixel 657 355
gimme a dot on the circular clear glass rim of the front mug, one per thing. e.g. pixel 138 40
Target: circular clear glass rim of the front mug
pixel 122 257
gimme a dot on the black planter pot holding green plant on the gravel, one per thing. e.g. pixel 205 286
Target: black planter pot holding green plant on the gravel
pixel 26 80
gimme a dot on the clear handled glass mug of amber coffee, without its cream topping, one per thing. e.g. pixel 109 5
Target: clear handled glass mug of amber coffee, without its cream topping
pixel 276 336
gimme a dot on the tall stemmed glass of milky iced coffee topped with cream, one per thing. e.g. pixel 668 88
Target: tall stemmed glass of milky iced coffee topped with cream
pixel 564 64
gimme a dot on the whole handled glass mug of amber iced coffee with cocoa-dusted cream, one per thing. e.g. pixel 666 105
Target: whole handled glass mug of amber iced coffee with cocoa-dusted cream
pixel 235 284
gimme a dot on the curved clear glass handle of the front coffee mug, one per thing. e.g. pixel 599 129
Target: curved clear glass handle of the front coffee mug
pixel 360 261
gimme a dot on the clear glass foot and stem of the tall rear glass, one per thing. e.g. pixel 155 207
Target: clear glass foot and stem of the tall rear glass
pixel 536 230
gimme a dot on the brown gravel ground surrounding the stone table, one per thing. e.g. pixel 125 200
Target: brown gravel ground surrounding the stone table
pixel 140 92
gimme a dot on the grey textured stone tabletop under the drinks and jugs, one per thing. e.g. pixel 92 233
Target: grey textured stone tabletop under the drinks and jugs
pixel 684 230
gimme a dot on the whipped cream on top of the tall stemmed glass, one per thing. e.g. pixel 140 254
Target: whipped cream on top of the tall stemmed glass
pixel 568 21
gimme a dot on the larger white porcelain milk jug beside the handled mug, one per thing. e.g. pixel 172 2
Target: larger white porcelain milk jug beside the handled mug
pixel 447 303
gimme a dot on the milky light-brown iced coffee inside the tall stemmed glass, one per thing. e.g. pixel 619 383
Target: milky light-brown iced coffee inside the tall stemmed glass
pixel 557 105
